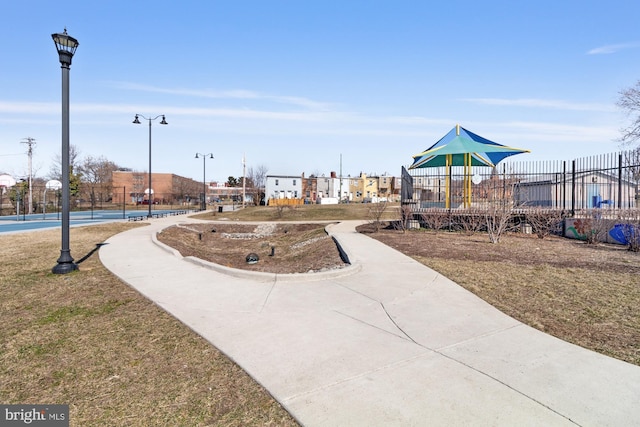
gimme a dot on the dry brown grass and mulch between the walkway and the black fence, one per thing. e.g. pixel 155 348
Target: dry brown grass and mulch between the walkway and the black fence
pixel 585 294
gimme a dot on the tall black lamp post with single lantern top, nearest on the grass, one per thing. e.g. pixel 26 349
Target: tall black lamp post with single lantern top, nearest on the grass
pixel 66 46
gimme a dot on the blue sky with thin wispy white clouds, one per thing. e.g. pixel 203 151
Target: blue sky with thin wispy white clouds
pixel 313 86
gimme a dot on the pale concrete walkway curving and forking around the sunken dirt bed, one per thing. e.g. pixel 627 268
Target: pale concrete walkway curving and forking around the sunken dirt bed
pixel 388 342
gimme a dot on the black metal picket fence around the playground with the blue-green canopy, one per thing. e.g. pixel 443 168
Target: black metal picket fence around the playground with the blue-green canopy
pixel 608 181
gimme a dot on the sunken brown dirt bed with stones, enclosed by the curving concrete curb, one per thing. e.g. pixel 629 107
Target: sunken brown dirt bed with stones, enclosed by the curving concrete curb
pixel 281 248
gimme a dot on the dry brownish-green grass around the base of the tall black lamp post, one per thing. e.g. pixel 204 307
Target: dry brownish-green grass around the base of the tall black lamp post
pixel 88 340
